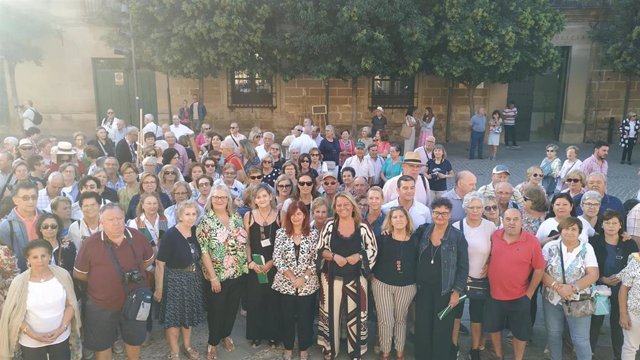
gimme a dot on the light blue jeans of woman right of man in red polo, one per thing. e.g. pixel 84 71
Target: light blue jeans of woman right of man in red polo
pixel 579 328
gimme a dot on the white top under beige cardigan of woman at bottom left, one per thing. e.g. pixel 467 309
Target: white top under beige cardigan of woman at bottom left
pixel 46 302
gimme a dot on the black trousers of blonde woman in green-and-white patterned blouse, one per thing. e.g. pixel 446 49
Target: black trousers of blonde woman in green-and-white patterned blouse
pixel 222 308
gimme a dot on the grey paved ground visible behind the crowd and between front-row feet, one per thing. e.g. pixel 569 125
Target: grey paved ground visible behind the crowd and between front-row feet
pixel 623 183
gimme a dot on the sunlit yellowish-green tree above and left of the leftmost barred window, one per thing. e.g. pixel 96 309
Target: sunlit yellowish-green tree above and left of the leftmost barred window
pixel 192 39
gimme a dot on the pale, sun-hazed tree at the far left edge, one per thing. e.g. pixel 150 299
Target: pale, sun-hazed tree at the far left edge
pixel 20 33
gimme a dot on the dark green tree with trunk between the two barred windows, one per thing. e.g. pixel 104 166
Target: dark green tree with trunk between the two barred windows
pixel 348 39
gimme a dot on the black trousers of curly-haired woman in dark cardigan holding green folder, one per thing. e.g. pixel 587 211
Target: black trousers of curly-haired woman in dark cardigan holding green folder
pixel 433 336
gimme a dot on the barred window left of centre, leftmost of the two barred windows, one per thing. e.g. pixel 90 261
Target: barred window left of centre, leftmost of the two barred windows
pixel 249 89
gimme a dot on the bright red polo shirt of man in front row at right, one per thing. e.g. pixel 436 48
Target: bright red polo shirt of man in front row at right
pixel 511 265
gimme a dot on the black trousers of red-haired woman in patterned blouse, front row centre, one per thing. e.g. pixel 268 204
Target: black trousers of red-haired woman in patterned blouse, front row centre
pixel 297 315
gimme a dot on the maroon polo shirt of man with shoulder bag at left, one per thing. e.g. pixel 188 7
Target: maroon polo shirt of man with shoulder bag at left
pixel 104 286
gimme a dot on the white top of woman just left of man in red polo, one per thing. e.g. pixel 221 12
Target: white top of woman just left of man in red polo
pixel 479 243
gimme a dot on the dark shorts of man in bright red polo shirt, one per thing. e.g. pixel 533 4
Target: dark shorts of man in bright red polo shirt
pixel 516 313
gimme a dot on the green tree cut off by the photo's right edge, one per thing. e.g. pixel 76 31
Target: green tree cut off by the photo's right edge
pixel 619 36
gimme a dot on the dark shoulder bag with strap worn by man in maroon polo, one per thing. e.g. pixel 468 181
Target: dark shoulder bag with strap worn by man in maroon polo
pixel 137 305
